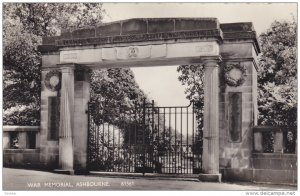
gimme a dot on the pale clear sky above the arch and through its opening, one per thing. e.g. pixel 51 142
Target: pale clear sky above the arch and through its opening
pixel 161 83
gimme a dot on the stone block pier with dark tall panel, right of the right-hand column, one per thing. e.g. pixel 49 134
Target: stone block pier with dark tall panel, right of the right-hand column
pixel 235 153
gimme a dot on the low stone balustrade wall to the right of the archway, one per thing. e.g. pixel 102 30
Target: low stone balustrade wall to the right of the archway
pixel 274 158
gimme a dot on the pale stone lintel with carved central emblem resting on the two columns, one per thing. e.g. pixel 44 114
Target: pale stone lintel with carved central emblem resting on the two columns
pixel 142 55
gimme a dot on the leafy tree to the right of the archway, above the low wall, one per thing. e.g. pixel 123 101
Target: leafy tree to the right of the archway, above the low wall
pixel 277 76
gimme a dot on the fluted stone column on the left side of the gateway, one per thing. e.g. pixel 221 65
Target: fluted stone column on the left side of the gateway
pixel 66 120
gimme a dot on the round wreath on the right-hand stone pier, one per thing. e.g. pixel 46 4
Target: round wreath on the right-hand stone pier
pixel 235 74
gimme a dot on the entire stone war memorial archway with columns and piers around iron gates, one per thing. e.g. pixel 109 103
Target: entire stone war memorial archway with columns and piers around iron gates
pixel 228 52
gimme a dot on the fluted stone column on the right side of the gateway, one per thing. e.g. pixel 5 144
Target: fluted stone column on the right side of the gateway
pixel 210 157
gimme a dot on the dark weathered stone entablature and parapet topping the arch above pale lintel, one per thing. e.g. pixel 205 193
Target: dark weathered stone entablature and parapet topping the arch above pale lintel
pixel 152 29
